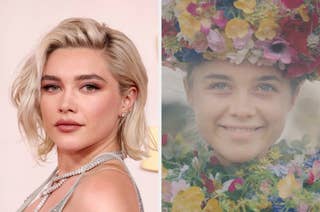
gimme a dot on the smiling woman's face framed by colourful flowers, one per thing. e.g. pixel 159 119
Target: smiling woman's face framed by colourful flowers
pixel 240 110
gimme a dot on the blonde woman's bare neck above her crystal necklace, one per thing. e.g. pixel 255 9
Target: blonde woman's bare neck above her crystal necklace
pixel 72 160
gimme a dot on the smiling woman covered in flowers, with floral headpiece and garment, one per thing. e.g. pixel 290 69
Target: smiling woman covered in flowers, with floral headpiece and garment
pixel 245 62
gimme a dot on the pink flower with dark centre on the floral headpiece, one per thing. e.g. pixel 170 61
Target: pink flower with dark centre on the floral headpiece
pixel 278 50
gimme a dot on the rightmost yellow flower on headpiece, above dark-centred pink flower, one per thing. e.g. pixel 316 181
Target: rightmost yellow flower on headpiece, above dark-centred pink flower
pixel 267 29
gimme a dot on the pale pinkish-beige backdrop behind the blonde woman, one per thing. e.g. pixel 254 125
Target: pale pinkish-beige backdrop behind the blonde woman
pixel 23 23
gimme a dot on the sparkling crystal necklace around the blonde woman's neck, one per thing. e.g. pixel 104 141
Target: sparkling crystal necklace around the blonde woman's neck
pixel 57 181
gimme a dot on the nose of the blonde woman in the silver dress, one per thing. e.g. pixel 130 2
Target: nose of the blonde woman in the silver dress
pixel 67 102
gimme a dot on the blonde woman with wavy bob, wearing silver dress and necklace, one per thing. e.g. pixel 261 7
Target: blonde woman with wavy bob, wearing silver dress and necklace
pixel 83 92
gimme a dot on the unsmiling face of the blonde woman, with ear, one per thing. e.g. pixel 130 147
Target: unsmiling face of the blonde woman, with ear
pixel 80 100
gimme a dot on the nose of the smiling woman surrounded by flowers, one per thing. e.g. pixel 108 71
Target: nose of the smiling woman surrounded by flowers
pixel 242 105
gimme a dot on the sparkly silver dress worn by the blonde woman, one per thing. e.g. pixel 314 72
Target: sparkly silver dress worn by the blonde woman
pixel 60 205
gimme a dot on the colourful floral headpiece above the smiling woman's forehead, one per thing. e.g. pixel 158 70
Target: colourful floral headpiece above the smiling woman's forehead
pixel 282 33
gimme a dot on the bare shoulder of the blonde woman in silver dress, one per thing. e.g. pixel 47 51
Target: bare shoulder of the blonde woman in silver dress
pixel 108 188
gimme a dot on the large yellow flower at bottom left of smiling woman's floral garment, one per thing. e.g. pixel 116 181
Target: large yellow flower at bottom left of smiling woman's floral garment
pixel 188 200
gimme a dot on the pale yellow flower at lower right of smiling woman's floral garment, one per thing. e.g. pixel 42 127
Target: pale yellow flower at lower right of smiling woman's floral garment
pixel 287 186
